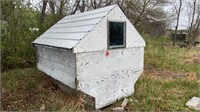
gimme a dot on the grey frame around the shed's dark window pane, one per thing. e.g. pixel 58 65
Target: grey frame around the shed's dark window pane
pixel 108 35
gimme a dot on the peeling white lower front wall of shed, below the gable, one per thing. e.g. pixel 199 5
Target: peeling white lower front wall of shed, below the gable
pixel 108 78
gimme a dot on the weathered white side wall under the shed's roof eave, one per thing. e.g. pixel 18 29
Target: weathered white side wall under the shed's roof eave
pixel 57 63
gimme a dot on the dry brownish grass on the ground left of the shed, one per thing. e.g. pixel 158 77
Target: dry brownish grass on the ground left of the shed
pixel 27 89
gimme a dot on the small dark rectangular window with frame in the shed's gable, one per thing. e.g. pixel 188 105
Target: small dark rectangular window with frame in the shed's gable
pixel 116 34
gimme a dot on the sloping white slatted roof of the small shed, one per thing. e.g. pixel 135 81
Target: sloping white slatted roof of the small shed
pixel 67 32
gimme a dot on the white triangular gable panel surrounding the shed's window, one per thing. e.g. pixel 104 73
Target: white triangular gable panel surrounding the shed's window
pixel 96 40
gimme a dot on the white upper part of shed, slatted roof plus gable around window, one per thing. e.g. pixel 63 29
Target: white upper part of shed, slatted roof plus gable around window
pixel 91 28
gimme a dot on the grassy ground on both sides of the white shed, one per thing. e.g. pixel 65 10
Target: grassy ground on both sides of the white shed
pixel 170 79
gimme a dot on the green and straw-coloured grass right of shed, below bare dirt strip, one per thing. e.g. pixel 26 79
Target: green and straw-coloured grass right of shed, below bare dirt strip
pixel 155 94
